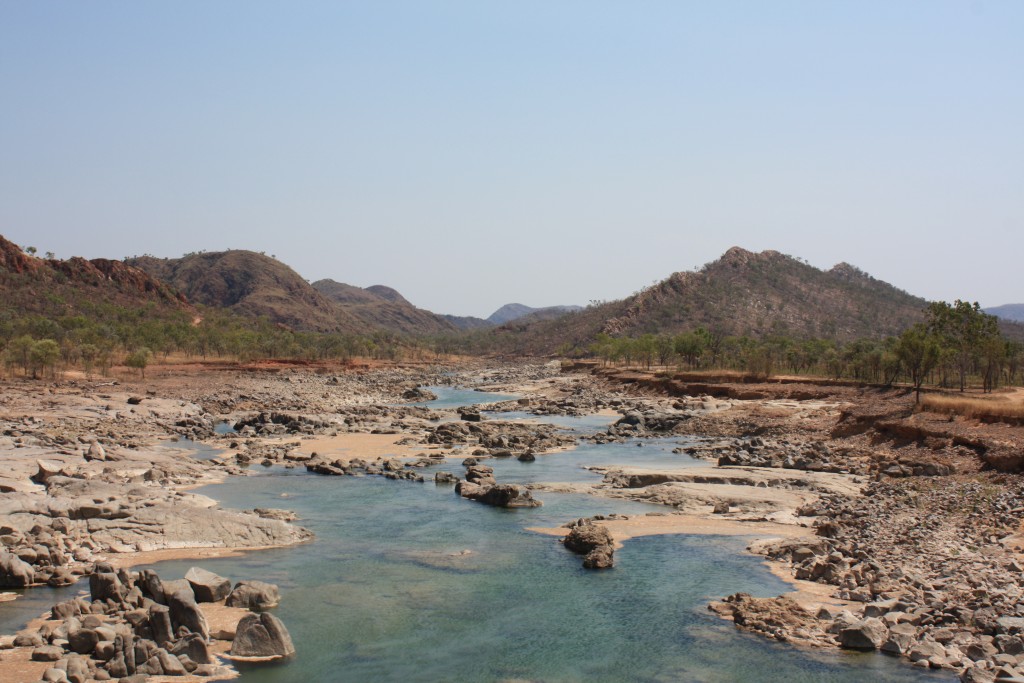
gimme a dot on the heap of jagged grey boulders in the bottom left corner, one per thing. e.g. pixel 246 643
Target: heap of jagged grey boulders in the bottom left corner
pixel 135 625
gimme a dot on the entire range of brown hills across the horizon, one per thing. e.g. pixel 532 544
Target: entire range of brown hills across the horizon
pixel 743 293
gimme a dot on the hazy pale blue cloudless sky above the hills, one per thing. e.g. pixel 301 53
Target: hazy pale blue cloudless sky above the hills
pixel 473 154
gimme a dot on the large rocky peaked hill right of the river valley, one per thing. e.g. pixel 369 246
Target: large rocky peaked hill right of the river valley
pixel 743 293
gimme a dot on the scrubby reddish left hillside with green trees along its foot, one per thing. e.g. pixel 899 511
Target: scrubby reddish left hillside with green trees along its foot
pixel 99 314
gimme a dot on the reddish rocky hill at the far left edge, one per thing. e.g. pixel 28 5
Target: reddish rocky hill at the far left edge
pixel 77 286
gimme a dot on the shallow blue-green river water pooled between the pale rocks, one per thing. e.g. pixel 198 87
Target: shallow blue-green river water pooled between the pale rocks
pixel 407 582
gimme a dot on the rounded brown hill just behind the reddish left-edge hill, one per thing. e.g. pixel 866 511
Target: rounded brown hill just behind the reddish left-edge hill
pixel 251 284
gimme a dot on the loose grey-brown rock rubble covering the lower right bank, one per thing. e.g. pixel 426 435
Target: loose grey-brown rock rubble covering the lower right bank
pixel 927 562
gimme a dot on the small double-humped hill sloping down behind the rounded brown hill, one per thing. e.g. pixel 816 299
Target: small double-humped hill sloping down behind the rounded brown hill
pixel 380 307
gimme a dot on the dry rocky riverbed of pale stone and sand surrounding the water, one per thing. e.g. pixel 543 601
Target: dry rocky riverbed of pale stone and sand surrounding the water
pixel 892 527
